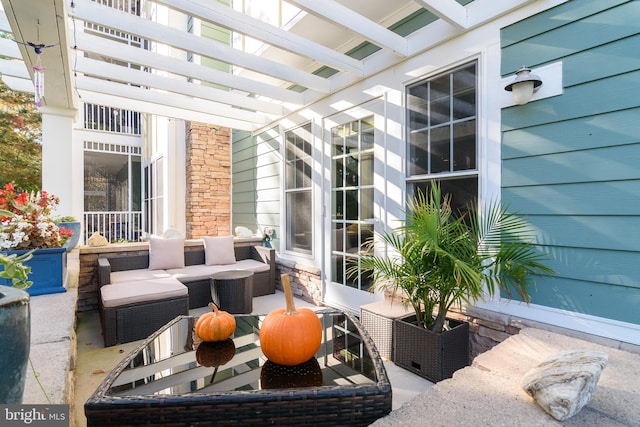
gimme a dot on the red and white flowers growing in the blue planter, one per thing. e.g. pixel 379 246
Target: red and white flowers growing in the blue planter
pixel 30 224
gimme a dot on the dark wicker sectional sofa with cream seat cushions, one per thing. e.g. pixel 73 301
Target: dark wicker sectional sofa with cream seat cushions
pixel 135 301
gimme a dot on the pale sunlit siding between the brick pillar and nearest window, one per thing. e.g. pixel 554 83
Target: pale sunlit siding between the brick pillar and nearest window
pixel 256 181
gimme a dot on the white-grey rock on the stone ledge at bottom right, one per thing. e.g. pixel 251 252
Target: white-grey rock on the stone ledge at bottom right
pixel 563 384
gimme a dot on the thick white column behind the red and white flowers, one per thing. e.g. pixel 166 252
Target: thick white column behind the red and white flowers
pixel 62 161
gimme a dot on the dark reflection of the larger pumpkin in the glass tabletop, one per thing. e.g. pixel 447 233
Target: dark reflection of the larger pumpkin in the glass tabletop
pixel 307 374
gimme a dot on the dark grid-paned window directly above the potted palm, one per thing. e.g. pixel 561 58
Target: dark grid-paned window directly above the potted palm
pixel 442 135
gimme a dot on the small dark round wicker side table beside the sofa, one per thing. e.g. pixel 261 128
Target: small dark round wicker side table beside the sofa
pixel 232 291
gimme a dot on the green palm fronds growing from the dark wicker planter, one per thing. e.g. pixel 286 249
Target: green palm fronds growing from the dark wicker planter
pixel 439 259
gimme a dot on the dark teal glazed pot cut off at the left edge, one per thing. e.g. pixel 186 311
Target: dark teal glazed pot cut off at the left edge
pixel 15 341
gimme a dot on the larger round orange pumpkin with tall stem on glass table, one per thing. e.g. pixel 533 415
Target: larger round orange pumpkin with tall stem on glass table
pixel 288 336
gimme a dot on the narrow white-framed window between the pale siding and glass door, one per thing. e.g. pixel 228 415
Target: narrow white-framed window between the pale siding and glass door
pixel 298 194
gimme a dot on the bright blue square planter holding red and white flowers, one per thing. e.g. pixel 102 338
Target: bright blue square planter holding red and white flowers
pixel 48 271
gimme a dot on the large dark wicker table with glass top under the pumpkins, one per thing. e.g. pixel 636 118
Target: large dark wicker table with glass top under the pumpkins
pixel 172 379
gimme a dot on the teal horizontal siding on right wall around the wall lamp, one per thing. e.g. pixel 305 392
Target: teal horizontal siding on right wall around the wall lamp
pixel 570 163
